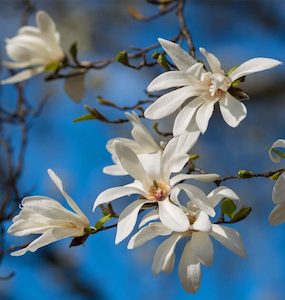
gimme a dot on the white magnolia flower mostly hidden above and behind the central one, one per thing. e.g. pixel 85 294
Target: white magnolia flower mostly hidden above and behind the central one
pixel 143 143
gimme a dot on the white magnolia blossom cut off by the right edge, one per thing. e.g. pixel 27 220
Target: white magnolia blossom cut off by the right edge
pixel 277 216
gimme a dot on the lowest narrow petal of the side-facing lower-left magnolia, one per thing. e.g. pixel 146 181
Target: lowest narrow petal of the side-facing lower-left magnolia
pixel 45 239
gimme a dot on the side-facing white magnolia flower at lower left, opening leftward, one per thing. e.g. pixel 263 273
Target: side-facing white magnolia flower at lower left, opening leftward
pixel 45 216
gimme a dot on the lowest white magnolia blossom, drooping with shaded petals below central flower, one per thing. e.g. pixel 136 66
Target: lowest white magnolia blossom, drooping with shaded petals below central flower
pixel 199 247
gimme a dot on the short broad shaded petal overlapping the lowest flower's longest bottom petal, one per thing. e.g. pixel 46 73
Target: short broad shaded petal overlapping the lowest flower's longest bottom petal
pixel 202 247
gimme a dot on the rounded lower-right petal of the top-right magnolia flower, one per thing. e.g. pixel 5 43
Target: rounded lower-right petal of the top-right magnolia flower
pixel 233 110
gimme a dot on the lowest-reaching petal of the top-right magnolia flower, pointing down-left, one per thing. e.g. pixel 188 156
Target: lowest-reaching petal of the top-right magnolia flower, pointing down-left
pixel 186 114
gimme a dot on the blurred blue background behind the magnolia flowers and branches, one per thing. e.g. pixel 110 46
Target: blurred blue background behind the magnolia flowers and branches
pixel 235 31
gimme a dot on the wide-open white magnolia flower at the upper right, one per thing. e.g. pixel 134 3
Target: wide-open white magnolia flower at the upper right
pixel 203 88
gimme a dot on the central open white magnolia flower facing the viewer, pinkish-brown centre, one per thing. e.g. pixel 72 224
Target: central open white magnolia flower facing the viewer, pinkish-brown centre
pixel 151 173
